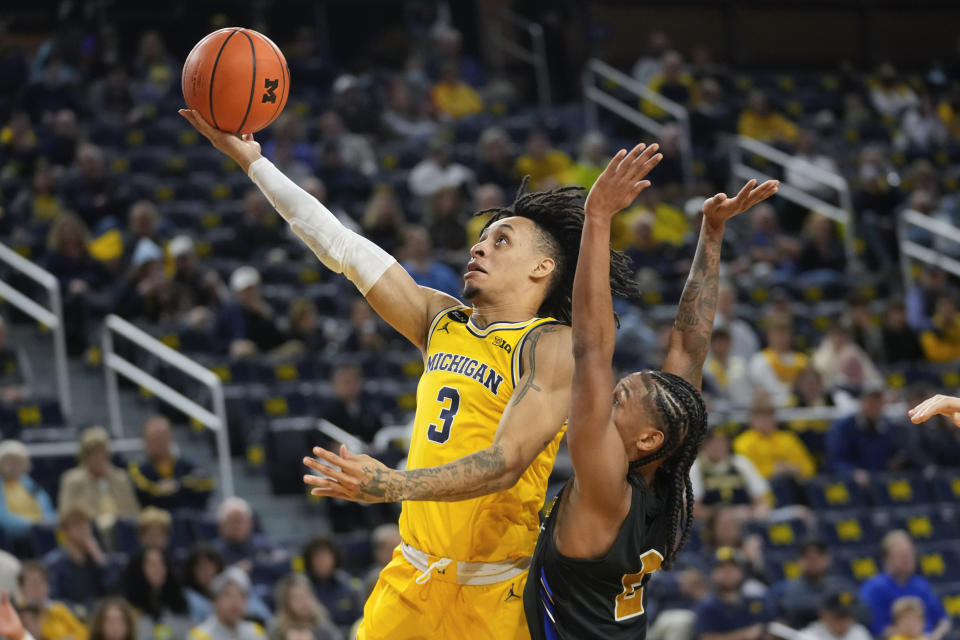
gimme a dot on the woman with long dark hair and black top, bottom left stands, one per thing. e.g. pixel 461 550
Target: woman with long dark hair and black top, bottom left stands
pixel 151 585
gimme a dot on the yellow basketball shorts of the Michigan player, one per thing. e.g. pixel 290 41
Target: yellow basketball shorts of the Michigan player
pixel 401 609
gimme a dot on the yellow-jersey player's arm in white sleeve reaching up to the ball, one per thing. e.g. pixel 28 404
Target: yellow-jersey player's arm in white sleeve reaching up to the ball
pixel 390 290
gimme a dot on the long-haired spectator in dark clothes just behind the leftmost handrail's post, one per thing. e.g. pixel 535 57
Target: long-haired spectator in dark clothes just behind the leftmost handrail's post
pixel 68 259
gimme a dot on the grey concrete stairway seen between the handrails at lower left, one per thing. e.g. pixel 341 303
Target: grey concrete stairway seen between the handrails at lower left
pixel 286 519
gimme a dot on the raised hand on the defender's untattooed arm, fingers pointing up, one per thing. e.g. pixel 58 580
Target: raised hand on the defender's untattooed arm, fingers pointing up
pixel 622 181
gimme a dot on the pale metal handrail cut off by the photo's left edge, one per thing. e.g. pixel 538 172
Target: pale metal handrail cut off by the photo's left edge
pixel 51 316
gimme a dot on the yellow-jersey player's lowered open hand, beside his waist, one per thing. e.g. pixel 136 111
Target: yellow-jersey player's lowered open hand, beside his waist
pixel 358 478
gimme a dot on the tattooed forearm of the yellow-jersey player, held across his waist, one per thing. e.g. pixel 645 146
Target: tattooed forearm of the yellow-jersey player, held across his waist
pixel 469 477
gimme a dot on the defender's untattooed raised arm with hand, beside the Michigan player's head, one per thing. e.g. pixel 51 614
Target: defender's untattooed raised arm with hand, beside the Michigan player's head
pixel 596 449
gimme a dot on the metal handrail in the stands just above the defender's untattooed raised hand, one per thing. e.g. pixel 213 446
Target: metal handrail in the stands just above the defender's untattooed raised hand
pixel 595 97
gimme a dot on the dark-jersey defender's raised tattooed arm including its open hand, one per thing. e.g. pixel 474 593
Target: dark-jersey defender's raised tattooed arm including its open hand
pixel 690 338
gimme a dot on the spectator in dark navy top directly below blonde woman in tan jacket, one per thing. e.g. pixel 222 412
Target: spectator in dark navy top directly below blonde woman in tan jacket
pixel 80 572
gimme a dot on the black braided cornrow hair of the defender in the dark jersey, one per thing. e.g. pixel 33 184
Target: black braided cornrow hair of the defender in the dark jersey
pixel 682 418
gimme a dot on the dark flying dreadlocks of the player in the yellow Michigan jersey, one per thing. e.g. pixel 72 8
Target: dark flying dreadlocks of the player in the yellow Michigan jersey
pixel 558 217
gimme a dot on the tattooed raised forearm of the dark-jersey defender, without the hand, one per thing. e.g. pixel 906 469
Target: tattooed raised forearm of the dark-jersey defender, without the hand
pixel 698 303
